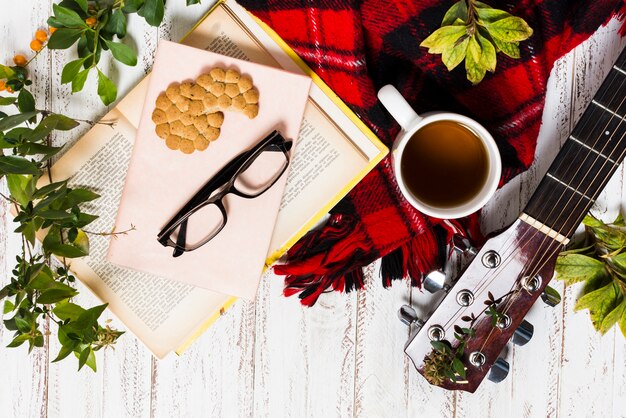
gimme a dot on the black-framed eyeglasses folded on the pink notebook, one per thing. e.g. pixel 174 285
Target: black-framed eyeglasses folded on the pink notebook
pixel 248 175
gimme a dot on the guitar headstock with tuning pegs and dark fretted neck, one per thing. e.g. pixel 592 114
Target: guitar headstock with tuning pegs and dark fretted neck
pixel 460 342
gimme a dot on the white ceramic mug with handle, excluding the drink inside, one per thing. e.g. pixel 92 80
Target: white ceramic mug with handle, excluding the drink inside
pixel 411 122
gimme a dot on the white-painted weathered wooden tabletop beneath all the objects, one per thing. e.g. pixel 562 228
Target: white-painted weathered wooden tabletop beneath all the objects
pixel 342 357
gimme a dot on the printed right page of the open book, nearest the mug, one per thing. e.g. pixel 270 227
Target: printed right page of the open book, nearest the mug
pixel 325 159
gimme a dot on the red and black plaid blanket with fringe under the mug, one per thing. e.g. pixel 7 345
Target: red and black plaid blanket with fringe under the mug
pixel 359 46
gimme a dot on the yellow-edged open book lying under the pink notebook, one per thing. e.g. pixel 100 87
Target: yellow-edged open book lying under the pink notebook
pixel 335 151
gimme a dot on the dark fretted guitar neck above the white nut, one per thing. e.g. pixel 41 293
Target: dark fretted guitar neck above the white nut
pixel 586 162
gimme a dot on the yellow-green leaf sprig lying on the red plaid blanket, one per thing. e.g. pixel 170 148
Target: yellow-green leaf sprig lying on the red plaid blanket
pixel 475 32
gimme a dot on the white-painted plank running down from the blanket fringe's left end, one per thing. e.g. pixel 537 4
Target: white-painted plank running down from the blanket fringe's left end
pixel 304 357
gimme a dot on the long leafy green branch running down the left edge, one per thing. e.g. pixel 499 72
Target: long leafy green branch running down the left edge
pixel 36 292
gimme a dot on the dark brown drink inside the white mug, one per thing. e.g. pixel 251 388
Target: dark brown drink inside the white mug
pixel 444 164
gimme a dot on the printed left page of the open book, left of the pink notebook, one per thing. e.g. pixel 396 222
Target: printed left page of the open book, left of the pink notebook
pixel 160 312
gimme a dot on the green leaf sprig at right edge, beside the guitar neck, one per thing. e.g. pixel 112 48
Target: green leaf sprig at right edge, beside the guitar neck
pixel 600 263
